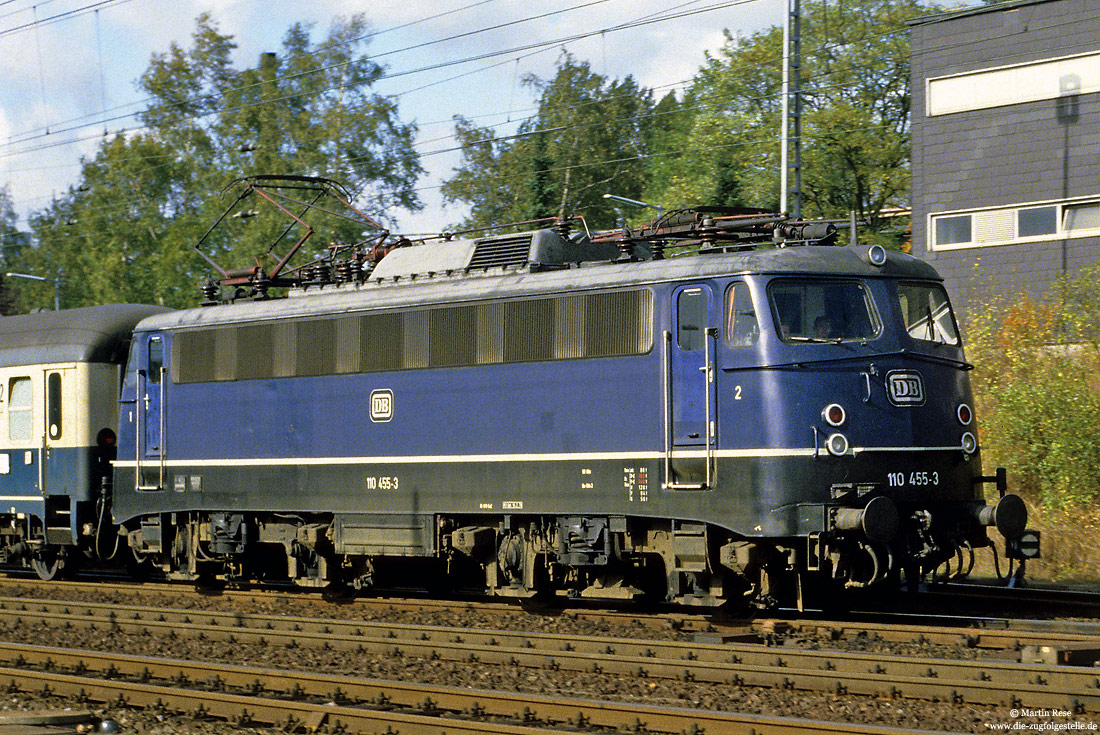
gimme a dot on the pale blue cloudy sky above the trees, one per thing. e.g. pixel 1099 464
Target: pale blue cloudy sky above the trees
pixel 69 69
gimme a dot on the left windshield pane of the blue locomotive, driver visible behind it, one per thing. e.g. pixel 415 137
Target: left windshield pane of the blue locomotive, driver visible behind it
pixel 823 312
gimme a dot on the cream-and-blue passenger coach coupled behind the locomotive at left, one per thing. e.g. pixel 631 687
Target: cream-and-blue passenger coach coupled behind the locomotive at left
pixel 60 375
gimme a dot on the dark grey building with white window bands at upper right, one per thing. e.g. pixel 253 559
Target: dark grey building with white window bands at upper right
pixel 1006 125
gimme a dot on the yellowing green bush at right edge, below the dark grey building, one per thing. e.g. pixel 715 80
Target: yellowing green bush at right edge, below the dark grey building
pixel 1038 390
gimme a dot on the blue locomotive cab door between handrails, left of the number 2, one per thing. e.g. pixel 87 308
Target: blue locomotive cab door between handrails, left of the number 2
pixel 691 415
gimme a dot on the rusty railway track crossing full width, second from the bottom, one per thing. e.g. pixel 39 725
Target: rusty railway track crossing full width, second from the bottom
pixel 985 683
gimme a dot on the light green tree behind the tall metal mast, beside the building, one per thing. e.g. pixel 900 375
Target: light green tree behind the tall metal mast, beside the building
pixel 856 106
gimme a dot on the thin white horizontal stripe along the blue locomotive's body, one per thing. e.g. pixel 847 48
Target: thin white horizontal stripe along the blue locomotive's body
pixel 580 457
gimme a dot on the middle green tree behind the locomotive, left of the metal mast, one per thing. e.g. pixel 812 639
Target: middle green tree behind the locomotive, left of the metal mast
pixel 587 139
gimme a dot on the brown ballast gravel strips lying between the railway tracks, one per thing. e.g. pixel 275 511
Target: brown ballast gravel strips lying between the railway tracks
pixel 813 706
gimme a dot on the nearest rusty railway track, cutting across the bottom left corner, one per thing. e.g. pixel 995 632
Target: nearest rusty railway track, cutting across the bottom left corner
pixel 277 697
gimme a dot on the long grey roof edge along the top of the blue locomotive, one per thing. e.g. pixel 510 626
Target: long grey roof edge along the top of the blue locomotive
pixel 500 284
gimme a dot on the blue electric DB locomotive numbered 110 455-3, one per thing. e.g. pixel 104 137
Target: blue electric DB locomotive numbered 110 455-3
pixel 576 414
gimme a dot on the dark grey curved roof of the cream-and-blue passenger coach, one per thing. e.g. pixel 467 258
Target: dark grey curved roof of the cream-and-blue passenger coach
pixel 94 334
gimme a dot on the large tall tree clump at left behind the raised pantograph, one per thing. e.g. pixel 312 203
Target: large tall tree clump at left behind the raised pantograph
pixel 128 231
